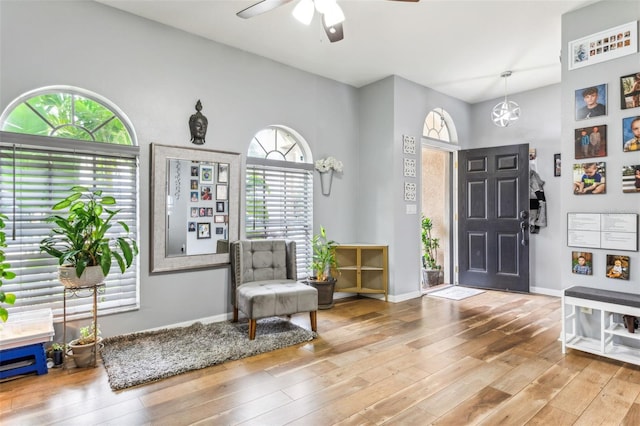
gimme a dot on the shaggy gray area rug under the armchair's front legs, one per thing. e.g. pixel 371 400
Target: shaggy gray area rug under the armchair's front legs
pixel 138 358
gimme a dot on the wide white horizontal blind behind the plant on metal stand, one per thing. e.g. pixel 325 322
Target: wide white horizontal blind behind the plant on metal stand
pixel 34 179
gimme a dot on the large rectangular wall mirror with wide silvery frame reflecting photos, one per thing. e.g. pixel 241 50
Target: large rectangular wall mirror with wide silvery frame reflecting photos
pixel 194 207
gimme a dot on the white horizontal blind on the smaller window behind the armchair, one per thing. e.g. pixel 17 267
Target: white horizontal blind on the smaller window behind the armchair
pixel 279 204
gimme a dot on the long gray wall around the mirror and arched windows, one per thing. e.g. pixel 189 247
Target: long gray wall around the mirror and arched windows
pixel 155 74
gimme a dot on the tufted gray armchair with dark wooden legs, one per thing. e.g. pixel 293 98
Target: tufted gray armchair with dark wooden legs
pixel 264 282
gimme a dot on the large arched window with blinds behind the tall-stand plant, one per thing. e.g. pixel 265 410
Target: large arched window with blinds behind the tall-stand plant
pixel 50 140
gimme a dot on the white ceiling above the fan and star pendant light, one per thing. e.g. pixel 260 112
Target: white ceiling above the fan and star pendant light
pixel 456 47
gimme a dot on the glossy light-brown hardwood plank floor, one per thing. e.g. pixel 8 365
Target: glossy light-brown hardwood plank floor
pixel 491 359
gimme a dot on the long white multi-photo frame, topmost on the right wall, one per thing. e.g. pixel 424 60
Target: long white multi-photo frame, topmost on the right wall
pixel 612 43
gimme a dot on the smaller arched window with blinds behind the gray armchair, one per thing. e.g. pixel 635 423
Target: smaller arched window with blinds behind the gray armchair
pixel 279 190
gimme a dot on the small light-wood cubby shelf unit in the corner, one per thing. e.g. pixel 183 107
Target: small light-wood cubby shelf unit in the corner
pixel 363 269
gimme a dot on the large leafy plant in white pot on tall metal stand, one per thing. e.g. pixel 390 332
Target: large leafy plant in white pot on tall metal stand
pixel 80 241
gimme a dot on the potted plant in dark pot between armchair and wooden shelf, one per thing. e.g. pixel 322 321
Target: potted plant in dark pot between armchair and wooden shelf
pixel 323 262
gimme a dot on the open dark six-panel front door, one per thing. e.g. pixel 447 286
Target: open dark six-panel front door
pixel 493 218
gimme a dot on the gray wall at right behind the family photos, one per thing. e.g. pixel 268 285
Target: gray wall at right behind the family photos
pixel 595 18
